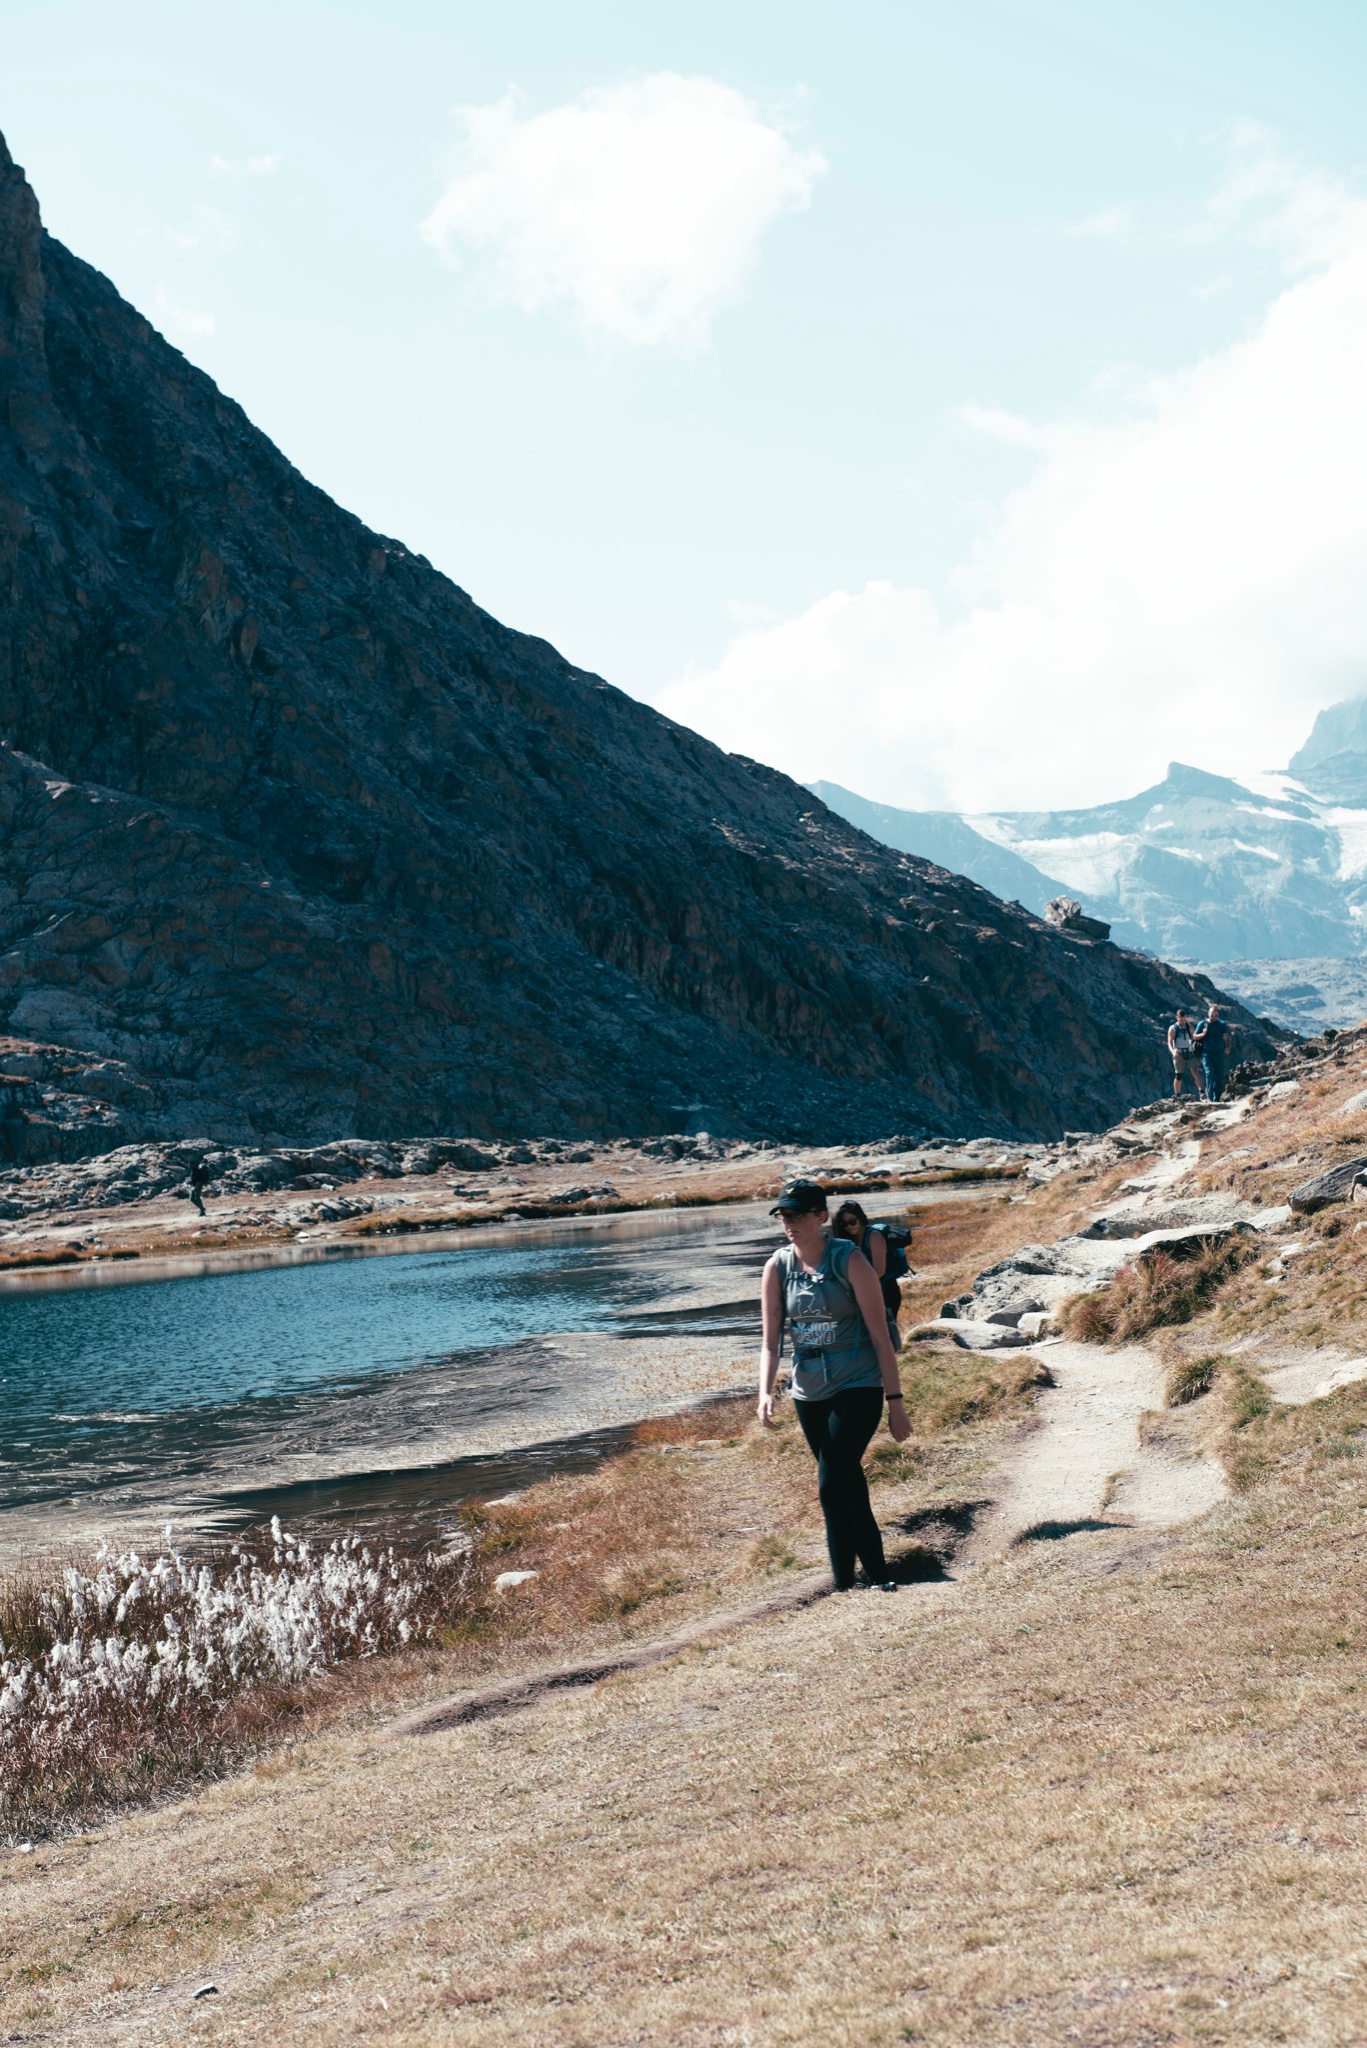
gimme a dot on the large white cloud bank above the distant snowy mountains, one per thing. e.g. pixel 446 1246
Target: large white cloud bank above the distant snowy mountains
pixel 1186 583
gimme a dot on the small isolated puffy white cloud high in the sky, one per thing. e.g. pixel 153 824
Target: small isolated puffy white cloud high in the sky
pixel 638 206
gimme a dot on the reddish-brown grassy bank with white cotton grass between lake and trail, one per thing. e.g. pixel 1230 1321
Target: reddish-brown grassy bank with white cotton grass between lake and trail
pixel 126 1678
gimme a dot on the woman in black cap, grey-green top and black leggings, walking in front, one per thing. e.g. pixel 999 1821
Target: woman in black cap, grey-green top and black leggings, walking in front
pixel 827 1295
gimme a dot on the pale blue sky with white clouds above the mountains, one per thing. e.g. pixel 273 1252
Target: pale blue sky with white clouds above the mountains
pixel 919 484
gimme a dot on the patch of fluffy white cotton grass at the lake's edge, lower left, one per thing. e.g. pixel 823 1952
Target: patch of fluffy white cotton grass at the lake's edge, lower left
pixel 114 1672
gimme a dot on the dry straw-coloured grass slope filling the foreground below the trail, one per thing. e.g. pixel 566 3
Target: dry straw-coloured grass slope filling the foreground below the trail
pixel 1102 1793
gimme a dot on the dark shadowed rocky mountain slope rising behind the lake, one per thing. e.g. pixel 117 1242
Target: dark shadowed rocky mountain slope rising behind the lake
pixel 300 843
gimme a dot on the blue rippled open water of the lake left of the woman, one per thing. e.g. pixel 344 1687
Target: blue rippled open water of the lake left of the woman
pixel 103 1390
